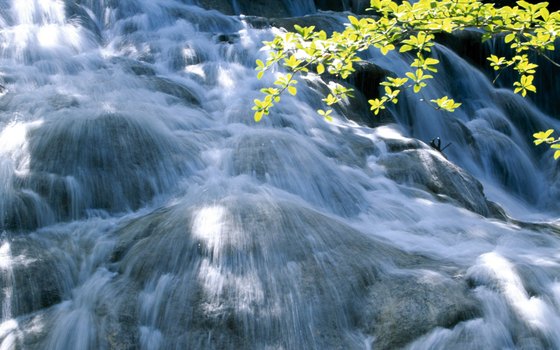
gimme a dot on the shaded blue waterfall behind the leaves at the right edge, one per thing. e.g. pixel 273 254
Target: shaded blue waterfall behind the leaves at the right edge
pixel 490 135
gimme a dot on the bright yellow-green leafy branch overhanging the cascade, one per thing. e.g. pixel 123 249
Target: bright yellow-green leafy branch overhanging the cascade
pixel 411 29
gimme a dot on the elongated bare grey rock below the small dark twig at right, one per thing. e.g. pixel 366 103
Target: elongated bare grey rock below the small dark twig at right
pixel 430 171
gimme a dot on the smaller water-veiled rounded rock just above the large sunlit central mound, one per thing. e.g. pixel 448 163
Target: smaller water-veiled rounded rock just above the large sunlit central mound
pixel 277 158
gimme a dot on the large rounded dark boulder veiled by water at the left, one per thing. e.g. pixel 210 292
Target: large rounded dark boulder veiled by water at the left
pixel 110 162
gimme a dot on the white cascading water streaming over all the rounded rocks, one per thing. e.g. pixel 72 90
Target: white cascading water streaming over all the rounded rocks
pixel 142 208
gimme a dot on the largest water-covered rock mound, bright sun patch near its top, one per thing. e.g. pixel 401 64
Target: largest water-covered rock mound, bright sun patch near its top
pixel 250 271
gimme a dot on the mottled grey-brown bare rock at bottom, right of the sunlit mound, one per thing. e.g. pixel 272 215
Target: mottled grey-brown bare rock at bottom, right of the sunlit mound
pixel 404 308
